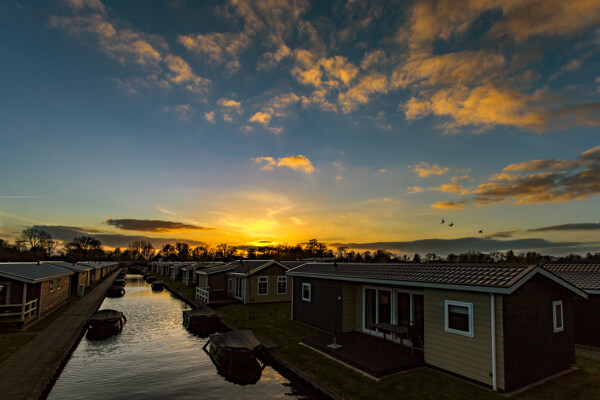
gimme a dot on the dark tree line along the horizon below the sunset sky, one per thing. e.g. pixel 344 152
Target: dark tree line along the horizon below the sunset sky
pixel 34 244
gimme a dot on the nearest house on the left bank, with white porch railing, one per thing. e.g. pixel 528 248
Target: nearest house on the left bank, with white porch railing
pixel 31 290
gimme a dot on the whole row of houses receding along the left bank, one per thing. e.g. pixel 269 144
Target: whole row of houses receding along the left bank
pixel 31 290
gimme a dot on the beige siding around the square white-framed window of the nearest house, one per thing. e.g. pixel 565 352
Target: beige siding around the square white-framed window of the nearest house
pixel 470 357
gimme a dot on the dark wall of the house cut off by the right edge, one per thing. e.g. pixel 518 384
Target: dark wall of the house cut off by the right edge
pixel 587 321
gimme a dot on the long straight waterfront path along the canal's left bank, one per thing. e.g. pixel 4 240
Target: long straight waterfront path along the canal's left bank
pixel 26 374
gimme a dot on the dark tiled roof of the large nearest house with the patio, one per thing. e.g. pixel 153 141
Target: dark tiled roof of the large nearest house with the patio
pixel 503 279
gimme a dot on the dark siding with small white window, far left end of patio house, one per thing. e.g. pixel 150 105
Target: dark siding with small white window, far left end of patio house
pixel 324 310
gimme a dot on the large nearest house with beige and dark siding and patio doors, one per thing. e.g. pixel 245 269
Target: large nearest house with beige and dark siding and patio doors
pixel 501 326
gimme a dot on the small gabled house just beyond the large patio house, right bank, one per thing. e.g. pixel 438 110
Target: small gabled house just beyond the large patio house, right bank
pixel 258 281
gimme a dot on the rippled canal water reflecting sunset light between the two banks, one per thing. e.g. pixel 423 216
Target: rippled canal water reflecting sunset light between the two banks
pixel 154 357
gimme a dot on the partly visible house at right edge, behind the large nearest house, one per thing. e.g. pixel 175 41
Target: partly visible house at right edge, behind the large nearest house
pixel 587 312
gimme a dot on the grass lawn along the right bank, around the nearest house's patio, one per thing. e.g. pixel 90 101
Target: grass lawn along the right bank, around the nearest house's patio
pixel 273 322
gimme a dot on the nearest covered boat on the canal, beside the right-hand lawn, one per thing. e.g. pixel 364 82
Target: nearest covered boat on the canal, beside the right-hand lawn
pixel 234 354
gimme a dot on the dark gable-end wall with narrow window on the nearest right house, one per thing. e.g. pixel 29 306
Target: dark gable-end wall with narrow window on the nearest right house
pixel 532 350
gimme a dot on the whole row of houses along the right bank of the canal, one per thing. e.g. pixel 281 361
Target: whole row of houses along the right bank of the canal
pixel 504 326
